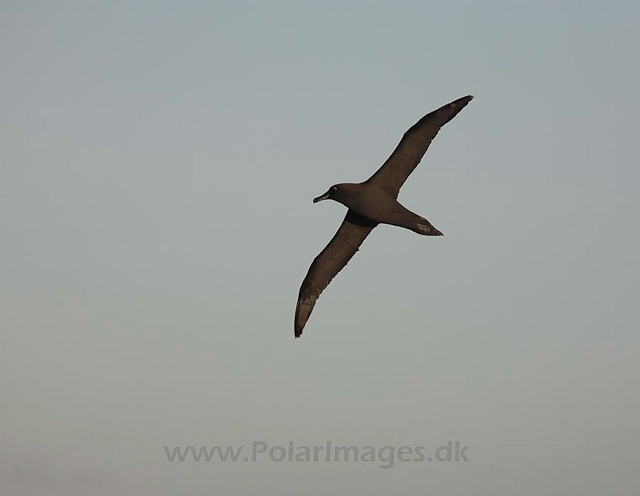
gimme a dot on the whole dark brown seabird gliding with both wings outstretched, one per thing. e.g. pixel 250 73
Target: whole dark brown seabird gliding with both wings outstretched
pixel 371 203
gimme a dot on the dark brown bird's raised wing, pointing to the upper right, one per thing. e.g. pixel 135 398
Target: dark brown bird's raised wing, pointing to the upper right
pixel 412 147
